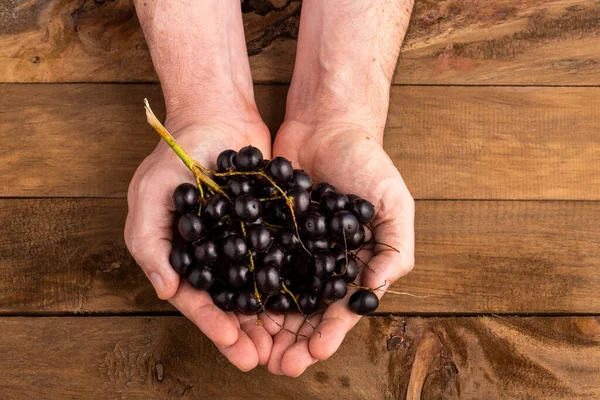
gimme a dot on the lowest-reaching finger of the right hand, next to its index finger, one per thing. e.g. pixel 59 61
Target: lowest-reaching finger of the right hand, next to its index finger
pixel 297 358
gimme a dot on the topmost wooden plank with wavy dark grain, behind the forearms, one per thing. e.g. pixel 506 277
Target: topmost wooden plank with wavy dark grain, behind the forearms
pixel 530 42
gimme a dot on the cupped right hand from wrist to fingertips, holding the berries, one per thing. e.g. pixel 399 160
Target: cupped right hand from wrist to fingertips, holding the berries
pixel 351 158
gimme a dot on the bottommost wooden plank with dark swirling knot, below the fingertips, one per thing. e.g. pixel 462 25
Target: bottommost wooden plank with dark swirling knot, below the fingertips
pixel 382 358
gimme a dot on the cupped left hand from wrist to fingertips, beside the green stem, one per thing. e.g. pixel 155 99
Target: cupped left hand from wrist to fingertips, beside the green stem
pixel 148 231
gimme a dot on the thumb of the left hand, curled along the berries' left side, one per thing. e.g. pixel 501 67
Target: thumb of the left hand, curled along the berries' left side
pixel 148 234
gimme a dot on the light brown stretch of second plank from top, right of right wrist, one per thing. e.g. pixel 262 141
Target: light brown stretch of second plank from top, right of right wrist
pixel 496 143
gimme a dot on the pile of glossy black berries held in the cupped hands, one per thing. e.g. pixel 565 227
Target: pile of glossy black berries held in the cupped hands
pixel 263 238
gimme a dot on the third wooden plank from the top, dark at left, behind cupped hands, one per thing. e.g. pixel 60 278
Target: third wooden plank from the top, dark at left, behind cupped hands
pixel 68 255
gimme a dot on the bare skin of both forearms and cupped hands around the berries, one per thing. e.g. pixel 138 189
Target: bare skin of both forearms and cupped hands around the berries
pixel 336 110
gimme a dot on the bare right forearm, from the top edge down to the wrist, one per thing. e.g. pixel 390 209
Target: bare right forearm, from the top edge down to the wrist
pixel 347 52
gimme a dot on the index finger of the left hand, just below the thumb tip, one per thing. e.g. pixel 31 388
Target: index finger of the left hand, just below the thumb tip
pixel 199 308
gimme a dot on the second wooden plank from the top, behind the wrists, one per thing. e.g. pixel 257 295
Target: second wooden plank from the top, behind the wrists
pixel 448 142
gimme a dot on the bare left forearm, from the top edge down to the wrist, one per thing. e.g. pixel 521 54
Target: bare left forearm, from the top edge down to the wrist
pixel 199 53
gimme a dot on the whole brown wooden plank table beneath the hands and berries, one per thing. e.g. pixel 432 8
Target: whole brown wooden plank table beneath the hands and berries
pixel 494 123
